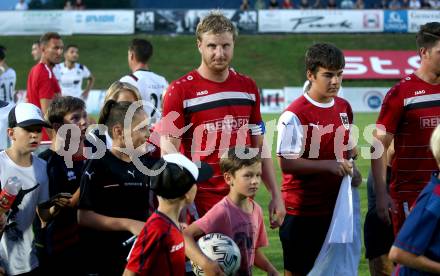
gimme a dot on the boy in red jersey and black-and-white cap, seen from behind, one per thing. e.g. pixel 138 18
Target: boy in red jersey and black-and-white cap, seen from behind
pixel 159 249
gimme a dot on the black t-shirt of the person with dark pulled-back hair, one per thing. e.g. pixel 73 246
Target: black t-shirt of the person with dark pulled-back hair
pixel 114 188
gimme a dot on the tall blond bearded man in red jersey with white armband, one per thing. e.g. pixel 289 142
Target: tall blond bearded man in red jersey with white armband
pixel 221 108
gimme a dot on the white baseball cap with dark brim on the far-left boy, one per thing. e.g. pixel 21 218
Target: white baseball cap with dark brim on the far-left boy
pixel 26 114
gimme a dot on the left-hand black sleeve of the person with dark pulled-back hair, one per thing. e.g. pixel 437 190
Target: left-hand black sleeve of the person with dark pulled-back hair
pixel 88 183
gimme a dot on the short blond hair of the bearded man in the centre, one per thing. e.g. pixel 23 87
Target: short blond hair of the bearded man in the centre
pixel 216 23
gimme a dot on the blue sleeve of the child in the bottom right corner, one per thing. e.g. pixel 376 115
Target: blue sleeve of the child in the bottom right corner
pixel 420 226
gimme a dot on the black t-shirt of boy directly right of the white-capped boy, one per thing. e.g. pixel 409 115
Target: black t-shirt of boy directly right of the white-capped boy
pixel 62 231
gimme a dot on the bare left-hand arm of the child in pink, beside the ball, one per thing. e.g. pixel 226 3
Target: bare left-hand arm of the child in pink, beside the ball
pixel 193 252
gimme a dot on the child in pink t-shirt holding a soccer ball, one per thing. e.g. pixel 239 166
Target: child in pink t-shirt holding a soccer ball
pixel 236 216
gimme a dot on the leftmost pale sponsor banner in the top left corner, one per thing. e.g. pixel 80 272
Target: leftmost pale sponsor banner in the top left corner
pixel 35 22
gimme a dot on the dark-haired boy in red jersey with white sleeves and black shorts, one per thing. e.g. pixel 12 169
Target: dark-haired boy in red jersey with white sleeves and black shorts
pixel 312 133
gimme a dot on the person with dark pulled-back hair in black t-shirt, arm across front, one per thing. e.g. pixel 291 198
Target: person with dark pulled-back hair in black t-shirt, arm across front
pixel 114 200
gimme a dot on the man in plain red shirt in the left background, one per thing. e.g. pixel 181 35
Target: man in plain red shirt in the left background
pixel 42 86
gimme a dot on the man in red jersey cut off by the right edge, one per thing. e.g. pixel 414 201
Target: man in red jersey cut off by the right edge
pixel 409 114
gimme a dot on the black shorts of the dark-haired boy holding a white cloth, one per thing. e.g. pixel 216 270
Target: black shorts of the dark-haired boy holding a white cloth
pixel 302 238
